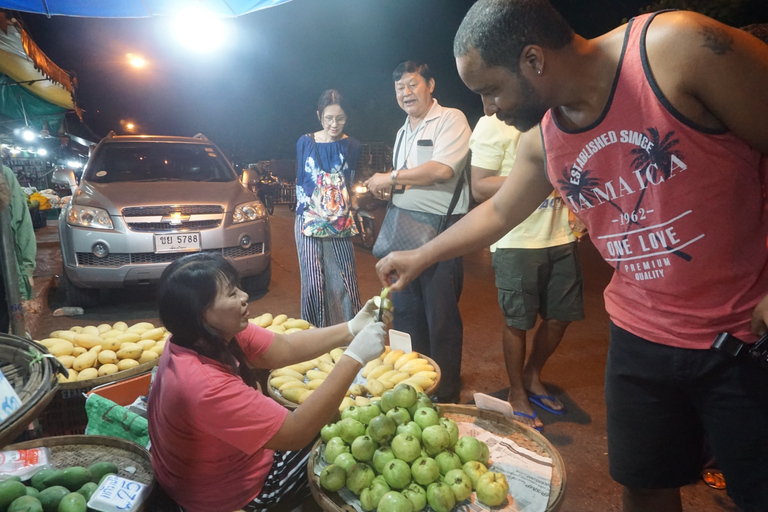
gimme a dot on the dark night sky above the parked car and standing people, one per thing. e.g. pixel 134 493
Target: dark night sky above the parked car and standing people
pixel 255 98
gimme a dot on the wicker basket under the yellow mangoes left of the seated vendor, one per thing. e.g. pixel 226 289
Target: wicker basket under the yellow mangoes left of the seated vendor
pixel 65 415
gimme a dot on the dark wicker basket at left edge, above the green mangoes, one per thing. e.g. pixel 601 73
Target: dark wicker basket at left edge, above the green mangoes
pixel 34 380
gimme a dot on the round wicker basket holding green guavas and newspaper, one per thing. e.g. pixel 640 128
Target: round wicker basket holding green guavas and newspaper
pixel 491 421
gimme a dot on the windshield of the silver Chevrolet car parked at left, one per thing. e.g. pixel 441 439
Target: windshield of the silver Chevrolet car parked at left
pixel 158 161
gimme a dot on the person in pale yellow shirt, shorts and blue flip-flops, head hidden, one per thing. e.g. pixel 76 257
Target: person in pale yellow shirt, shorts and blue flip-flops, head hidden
pixel 537 273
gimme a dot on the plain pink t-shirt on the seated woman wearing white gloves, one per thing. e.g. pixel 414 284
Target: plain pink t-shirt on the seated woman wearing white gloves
pixel 208 428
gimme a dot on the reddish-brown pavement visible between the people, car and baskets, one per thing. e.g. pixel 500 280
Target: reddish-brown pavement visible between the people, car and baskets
pixel 575 372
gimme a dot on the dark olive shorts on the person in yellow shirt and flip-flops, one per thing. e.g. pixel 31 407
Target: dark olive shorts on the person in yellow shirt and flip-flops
pixel 533 282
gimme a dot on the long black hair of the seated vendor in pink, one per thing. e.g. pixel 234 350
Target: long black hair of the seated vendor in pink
pixel 188 287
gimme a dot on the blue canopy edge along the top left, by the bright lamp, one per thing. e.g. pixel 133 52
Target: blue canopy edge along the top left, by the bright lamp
pixel 136 8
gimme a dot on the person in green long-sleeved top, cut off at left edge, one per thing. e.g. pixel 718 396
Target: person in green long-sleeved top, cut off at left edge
pixel 25 244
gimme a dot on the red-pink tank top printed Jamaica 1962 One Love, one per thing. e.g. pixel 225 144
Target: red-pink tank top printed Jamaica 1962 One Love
pixel 675 208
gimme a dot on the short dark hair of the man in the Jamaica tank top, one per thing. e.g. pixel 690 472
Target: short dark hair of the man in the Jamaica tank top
pixel 500 29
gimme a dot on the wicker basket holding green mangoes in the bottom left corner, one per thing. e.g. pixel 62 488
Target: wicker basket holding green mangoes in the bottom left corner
pixel 85 450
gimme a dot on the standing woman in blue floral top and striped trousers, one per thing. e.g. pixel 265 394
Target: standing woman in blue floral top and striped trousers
pixel 326 161
